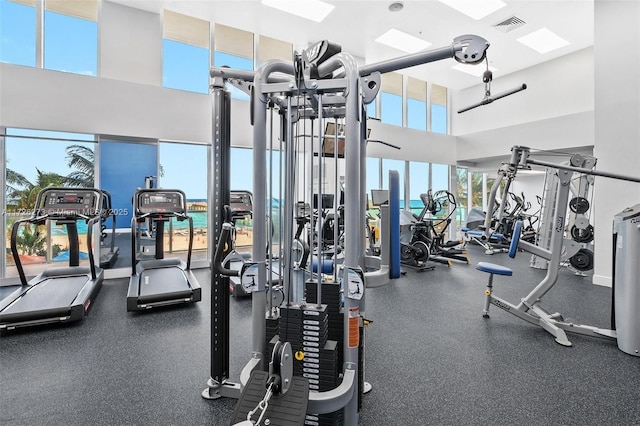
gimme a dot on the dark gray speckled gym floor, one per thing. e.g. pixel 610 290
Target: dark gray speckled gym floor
pixel 430 357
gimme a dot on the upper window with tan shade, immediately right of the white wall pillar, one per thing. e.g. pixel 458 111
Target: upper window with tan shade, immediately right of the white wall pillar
pixel 185 53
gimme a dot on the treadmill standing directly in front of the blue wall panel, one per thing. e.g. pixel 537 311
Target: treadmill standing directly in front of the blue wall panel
pixel 159 281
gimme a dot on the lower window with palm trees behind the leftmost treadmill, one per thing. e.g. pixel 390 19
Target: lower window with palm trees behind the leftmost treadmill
pixel 33 163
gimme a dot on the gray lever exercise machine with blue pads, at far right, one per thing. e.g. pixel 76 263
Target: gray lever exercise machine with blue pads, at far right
pixel 626 274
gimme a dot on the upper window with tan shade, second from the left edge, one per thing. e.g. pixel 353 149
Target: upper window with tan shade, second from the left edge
pixel 71 36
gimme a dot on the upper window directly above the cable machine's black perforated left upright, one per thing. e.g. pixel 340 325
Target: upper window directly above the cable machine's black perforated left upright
pixel 233 48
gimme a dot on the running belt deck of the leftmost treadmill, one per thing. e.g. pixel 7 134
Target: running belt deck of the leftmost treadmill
pixel 45 297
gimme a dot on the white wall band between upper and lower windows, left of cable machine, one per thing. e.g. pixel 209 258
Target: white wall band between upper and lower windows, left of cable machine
pixel 52 100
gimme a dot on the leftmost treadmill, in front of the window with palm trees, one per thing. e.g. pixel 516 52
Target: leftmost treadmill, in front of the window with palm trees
pixel 64 294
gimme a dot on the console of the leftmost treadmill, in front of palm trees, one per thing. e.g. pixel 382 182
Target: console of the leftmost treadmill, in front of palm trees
pixel 69 202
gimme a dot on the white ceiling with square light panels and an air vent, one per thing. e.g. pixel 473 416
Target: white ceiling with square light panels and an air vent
pixel 356 24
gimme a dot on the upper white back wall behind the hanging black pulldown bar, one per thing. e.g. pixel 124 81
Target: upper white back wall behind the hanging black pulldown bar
pixel 554 112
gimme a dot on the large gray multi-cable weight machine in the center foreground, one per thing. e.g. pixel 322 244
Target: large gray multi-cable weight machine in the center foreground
pixel 293 356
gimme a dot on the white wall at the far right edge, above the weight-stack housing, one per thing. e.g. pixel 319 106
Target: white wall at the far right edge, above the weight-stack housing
pixel 617 120
